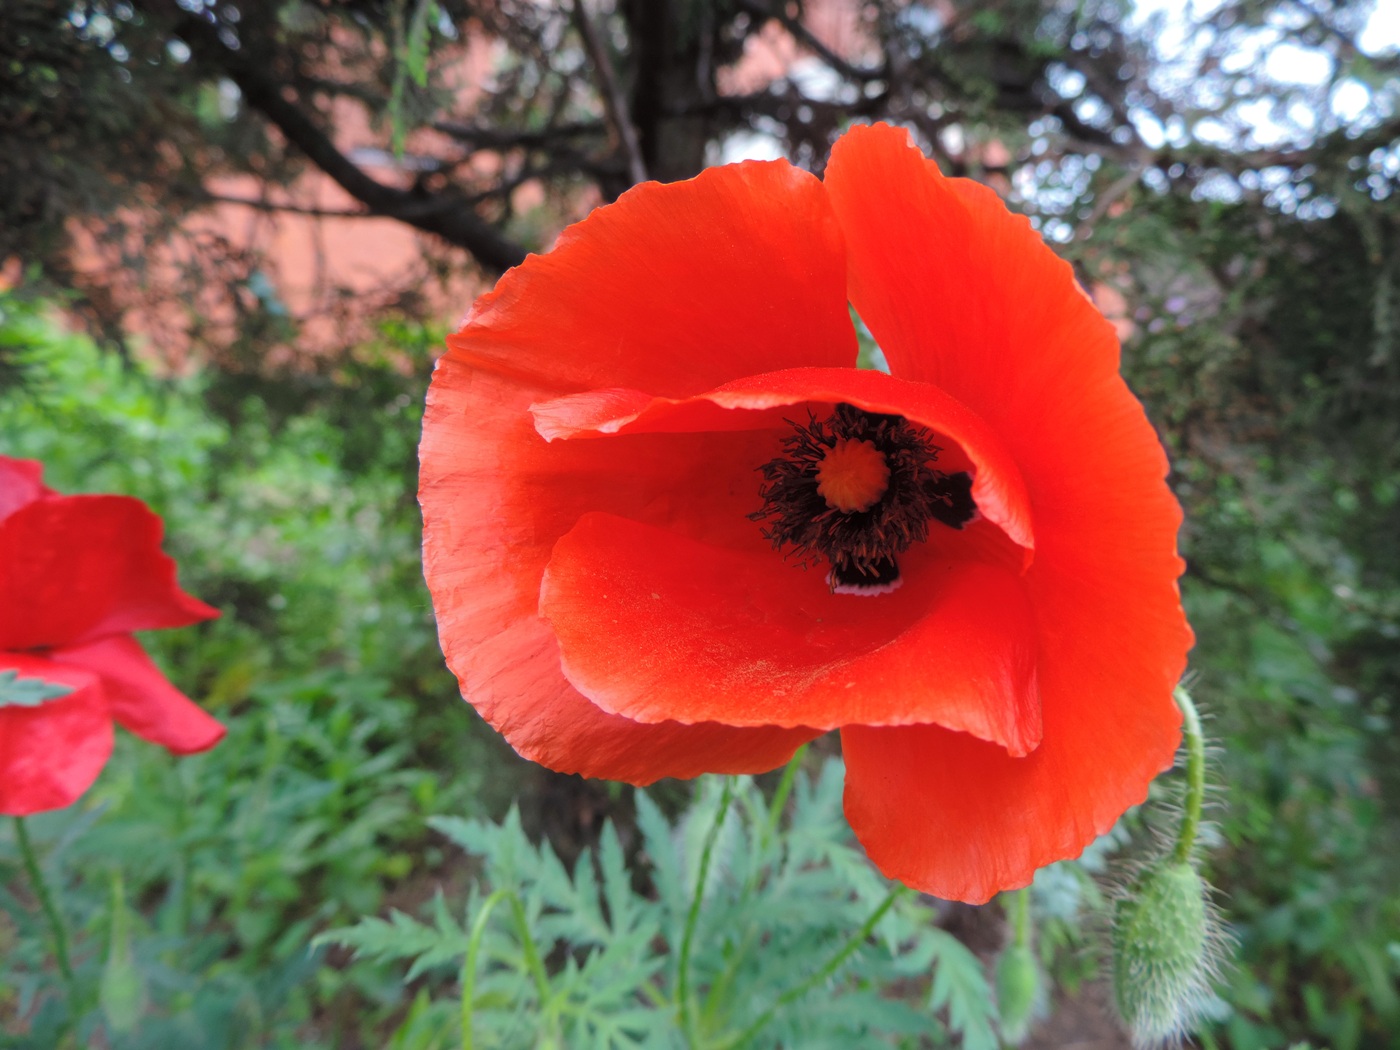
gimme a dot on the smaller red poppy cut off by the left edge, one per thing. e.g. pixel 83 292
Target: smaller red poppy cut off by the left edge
pixel 78 576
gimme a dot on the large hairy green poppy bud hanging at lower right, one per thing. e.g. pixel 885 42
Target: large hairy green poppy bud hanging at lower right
pixel 1163 946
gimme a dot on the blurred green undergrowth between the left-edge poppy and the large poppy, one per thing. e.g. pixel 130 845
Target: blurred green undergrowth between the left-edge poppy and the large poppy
pixel 194 885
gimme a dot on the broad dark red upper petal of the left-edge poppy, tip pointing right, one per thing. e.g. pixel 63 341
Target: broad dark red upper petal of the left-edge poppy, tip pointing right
pixel 80 568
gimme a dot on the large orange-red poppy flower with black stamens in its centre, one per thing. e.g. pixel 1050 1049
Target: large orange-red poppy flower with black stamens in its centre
pixel 671 528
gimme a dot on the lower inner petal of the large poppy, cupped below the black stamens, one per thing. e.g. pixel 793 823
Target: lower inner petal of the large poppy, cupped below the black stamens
pixel 654 626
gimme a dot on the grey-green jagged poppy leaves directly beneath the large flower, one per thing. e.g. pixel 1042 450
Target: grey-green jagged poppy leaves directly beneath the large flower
pixel 752 908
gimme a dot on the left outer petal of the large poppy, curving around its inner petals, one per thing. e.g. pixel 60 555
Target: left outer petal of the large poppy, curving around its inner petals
pixel 674 289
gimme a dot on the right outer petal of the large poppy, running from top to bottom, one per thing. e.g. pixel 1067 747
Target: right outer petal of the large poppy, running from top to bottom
pixel 964 295
